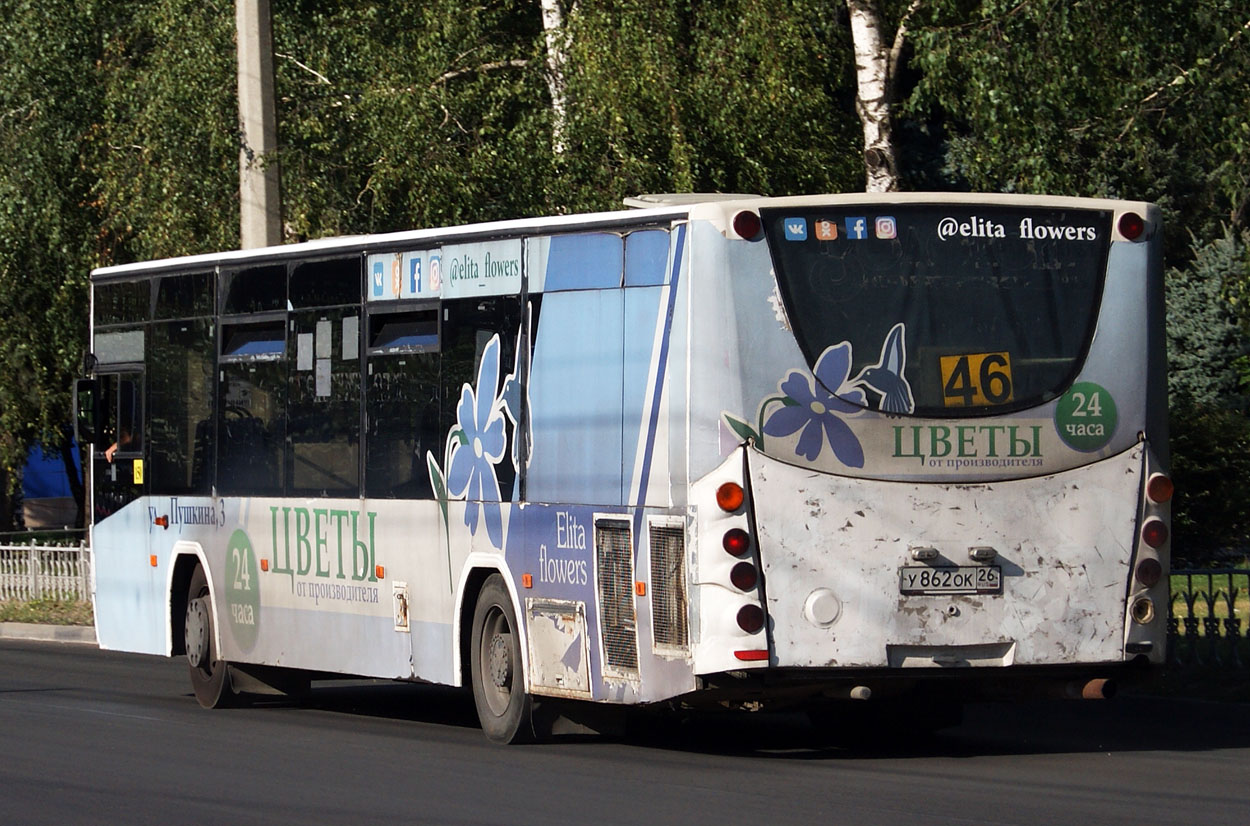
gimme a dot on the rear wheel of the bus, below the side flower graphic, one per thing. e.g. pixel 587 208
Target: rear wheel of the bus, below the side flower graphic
pixel 496 660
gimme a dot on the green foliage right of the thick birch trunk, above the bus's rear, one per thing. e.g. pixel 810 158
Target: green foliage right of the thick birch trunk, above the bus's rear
pixel 1096 98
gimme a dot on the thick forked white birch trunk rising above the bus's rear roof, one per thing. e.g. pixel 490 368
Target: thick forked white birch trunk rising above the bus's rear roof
pixel 877 66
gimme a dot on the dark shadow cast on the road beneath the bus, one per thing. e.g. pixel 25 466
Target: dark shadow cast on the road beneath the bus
pixel 988 729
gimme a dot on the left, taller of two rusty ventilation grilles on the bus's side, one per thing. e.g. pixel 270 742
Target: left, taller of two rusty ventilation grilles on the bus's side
pixel 614 568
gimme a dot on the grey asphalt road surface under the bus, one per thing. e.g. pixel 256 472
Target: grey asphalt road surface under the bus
pixel 98 738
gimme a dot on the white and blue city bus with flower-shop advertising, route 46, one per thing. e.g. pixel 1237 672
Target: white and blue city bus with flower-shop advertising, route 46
pixel 884 452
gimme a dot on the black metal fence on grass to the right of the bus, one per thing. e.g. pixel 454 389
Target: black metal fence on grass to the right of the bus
pixel 1207 618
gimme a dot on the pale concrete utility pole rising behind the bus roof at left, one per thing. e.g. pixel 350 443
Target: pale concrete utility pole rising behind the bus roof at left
pixel 261 218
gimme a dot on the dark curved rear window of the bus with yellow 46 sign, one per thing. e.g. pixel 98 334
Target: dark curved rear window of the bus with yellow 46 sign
pixel 949 311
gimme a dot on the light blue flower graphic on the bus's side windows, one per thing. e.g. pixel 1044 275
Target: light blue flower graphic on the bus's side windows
pixel 479 448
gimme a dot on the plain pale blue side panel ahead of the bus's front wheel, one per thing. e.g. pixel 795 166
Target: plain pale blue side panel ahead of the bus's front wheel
pixel 129 598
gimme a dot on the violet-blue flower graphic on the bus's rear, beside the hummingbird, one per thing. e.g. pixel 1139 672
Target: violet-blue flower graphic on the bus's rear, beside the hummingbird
pixel 813 408
